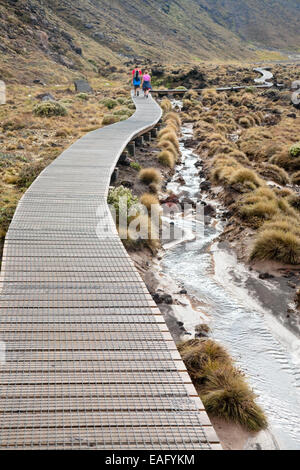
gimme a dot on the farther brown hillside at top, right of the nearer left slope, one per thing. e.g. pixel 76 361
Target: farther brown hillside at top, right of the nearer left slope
pixel 204 29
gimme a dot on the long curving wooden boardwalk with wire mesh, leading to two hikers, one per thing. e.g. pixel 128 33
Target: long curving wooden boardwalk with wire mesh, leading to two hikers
pixel 90 363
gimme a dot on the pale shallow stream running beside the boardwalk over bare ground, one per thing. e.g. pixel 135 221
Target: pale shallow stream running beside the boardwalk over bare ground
pixel 228 293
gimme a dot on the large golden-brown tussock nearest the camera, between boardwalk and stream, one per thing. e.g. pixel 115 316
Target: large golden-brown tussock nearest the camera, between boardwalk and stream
pixel 221 386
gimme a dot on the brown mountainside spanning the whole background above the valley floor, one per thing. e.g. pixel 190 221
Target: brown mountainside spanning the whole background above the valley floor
pixel 87 35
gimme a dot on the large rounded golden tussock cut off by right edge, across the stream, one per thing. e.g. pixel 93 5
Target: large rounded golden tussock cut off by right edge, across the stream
pixel 278 245
